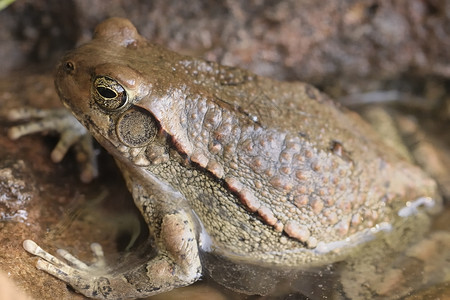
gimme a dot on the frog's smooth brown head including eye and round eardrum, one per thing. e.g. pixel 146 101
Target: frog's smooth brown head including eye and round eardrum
pixel 105 82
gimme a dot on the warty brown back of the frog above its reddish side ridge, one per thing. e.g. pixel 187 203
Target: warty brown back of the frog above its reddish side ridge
pixel 296 160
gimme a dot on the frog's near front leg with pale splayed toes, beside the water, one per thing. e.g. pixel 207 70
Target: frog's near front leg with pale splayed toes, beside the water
pixel 176 264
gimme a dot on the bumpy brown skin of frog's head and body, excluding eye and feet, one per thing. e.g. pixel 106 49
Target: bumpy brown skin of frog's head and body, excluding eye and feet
pixel 274 171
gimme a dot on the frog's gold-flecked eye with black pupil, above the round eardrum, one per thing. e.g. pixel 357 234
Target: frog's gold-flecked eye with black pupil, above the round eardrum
pixel 108 93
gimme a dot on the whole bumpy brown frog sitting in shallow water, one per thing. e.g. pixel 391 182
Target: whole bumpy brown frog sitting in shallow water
pixel 235 174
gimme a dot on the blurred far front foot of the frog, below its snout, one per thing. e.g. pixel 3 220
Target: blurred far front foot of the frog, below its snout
pixel 71 131
